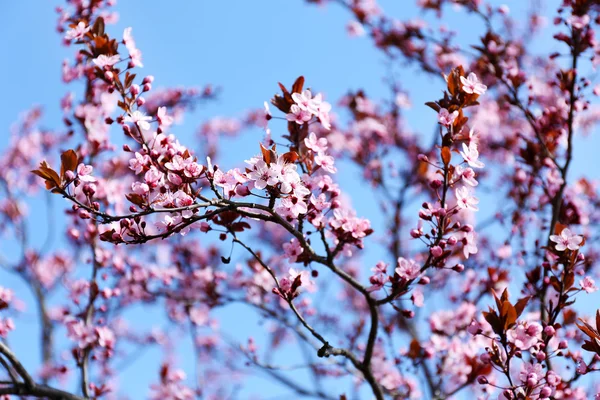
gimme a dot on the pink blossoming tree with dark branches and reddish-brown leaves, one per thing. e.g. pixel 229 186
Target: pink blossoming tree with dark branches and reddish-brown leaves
pixel 453 305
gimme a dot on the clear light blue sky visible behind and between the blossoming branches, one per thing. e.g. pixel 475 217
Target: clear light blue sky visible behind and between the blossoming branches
pixel 245 47
